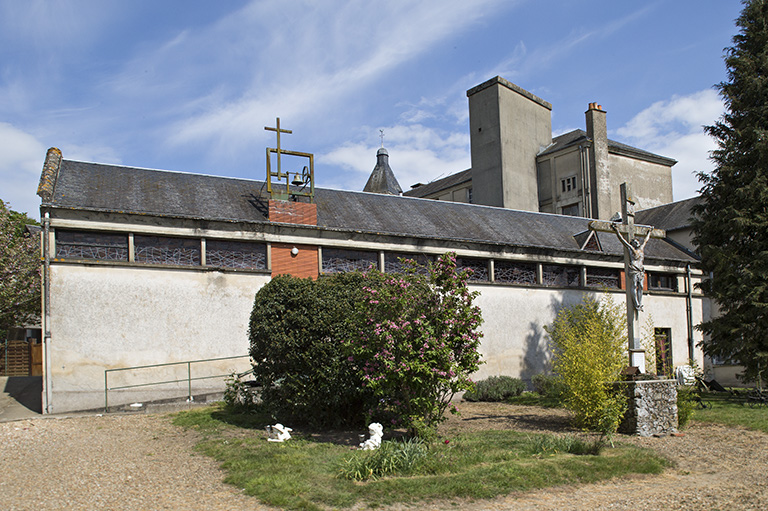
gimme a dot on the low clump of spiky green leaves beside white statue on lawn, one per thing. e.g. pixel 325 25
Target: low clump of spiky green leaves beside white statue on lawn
pixel 391 458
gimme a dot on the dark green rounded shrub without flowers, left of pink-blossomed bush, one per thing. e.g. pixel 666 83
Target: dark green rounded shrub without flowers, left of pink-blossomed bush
pixel 298 332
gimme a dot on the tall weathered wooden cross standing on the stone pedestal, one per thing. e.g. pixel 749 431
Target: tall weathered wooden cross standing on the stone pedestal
pixel 630 230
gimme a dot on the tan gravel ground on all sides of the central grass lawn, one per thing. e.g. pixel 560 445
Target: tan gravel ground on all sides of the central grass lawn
pixel 137 462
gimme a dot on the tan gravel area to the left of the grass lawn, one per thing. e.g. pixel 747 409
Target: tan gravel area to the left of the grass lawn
pixel 116 462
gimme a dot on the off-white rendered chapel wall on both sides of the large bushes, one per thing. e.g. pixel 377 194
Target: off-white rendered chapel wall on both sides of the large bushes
pixel 106 317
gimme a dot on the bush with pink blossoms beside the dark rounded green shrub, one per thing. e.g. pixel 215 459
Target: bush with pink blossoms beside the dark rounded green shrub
pixel 420 342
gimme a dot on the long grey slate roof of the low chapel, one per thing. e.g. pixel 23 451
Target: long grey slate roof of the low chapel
pixel 110 188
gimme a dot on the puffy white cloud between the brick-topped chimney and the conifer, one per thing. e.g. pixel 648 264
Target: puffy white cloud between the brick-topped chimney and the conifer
pixel 674 128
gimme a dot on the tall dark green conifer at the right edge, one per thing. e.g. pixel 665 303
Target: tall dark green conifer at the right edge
pixel 731 222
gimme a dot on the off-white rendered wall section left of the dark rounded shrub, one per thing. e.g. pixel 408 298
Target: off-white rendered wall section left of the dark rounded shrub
pixel 106 317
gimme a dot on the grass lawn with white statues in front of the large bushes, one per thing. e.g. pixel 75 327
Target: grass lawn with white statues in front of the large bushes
pixel 306 474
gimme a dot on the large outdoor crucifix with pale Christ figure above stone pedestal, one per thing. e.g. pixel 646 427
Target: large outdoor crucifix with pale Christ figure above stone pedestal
pixel 634 238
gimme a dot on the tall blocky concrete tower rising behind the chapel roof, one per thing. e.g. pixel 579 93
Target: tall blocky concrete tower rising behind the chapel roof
pixel 508 127
